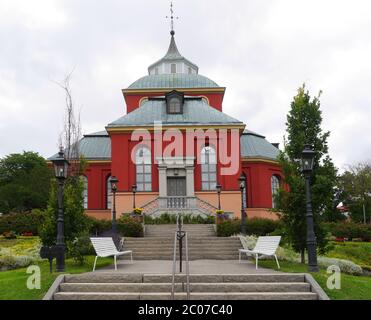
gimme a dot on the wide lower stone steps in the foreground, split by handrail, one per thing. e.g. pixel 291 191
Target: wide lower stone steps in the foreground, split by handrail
pixel 119 286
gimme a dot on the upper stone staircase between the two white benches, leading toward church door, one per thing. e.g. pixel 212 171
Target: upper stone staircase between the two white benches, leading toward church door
pixel 158 244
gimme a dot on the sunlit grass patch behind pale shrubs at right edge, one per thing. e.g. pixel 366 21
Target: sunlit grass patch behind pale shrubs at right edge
pixel 358 252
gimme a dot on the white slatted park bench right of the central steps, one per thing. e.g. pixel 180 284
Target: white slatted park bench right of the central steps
pixel 265 246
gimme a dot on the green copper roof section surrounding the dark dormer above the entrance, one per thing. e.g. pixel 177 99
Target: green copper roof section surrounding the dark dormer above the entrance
pixel 195 112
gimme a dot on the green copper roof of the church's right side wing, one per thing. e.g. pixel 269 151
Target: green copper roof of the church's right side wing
pixel 254 145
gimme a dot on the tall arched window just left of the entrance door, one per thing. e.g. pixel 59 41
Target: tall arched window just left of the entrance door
pixel 144 169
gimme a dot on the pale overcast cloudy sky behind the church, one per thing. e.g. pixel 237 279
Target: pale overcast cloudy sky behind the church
pixel 262 51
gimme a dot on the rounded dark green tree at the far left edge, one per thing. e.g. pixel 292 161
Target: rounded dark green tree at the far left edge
pixel 24 182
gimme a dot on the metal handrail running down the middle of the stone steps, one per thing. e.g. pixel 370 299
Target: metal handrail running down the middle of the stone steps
pixel 179 235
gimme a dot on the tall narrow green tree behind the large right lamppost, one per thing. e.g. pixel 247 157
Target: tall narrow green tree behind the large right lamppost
pixel 304 127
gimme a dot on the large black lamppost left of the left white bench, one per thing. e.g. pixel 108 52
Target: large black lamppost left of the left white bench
pixel 61 171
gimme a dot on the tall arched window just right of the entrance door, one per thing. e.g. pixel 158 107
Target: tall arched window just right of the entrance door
pixel 208 168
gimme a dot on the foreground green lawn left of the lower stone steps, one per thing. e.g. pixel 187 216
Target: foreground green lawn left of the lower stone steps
pixel 13 283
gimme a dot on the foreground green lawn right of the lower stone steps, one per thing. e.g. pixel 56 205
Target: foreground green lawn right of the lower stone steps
pixel 352 287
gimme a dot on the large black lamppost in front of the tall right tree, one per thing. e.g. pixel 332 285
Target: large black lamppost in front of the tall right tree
pixel 307 162
